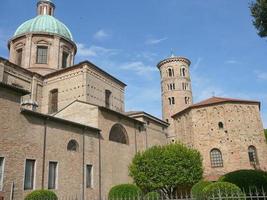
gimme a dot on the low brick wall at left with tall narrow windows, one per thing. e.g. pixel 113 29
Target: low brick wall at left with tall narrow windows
pixel 26 139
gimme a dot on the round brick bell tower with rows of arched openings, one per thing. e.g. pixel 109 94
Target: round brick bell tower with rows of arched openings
pixel 176 91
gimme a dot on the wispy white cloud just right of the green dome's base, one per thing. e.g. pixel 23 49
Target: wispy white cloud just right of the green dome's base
pixel 94 51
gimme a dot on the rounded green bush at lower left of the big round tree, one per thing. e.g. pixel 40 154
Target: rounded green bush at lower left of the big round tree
pixel 128 191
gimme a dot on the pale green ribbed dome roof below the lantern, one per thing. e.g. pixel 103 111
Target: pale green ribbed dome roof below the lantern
pixel 44 23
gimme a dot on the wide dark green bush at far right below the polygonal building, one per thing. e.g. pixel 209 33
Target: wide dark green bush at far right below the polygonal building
pixel 247 180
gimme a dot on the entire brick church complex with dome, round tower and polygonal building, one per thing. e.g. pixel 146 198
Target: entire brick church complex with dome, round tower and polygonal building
pixel 63 126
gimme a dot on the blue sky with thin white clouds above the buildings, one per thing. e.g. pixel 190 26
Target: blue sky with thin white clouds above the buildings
pixel 128 38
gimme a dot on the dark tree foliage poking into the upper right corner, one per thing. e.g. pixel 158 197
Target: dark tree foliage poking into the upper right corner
pixel 259 13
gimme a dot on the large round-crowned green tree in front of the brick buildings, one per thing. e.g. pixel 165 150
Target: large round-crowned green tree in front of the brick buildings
pixel 166 168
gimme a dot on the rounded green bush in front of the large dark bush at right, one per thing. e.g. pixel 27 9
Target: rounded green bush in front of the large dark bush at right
pixel 223 189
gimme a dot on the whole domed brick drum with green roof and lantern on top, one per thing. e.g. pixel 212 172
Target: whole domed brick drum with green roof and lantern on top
pixel 43 44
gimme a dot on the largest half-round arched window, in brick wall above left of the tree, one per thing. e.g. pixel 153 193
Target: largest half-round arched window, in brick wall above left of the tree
pixel 118 134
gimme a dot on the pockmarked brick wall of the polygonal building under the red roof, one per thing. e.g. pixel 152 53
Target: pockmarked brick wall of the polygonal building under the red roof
pixel 242 127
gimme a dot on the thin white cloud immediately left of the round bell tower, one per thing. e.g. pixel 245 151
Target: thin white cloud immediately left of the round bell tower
pixel 138 67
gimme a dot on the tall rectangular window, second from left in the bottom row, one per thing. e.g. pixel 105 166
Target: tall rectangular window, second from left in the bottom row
pixel 29 175
